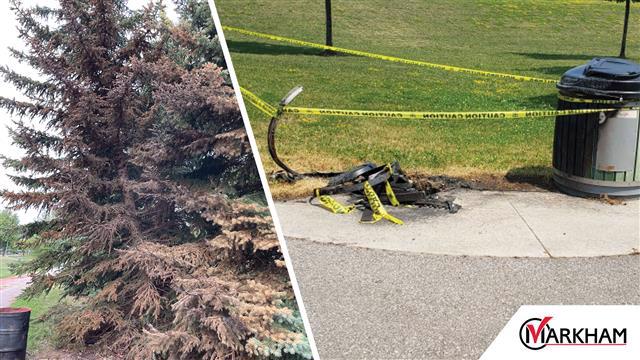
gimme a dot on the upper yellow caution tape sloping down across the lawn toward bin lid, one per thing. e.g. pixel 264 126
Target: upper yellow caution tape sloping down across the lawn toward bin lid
pixel 389 58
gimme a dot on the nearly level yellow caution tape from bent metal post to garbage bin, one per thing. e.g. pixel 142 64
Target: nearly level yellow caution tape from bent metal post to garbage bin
pixel 472 115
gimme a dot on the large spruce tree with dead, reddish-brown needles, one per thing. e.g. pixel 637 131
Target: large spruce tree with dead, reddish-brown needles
pixel 130 137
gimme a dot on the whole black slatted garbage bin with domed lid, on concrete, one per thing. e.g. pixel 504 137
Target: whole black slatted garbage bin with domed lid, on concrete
pixel 596 154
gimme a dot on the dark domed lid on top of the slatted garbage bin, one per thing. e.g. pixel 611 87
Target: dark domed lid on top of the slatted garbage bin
pixel 603 77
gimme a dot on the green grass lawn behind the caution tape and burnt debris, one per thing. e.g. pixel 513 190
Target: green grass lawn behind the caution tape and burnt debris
pixel 540 38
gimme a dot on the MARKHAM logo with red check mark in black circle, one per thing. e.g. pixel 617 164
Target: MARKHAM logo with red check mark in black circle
pixel 536 334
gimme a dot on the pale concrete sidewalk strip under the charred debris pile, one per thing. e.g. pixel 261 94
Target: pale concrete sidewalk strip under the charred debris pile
pixel 490 223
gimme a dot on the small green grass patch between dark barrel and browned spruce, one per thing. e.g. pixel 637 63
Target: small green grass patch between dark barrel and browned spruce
pixel 40 332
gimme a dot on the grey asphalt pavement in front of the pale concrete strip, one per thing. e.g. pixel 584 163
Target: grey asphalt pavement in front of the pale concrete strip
pixel 378 304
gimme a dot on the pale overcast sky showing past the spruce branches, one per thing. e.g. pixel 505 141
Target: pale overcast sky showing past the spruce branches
pixel 9 38
